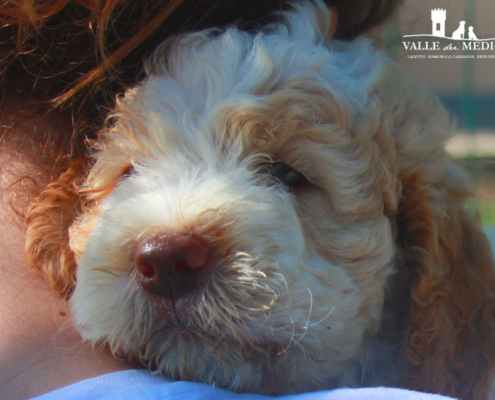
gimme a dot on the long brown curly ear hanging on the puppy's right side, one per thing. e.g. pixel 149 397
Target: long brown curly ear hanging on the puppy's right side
pixel 449 346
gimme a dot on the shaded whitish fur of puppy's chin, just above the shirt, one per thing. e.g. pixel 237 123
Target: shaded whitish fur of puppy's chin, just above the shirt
pixel 195 355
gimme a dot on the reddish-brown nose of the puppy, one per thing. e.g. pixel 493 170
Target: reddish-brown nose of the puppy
pixel 171 265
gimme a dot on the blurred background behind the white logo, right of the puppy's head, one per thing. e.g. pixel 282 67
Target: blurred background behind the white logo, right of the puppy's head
pixel 465 85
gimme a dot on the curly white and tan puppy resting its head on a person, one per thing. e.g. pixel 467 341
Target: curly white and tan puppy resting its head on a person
pixel 275 213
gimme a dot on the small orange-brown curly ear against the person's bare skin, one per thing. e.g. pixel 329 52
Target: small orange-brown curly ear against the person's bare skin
pixel 47 231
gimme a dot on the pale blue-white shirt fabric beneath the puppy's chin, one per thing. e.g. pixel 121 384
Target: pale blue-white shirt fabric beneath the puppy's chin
pixel 140 385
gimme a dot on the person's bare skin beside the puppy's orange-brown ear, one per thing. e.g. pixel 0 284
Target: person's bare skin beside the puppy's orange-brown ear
pixel 40 350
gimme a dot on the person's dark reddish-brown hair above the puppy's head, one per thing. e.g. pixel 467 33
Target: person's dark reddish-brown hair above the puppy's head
pixel 71 57
